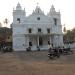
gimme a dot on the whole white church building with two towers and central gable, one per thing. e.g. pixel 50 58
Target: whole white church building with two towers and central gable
pixel 36 29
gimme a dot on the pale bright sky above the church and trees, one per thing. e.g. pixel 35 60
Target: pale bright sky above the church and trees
pixel 66 7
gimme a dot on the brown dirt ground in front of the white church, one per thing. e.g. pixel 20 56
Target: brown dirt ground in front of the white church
pixel 36 63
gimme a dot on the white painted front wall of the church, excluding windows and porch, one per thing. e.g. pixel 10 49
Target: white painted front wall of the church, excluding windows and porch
pixel 20 30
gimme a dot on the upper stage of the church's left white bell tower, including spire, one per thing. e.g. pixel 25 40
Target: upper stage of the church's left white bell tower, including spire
pixel 18 14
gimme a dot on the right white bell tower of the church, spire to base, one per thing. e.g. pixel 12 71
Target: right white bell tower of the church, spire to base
pixel 57 37
